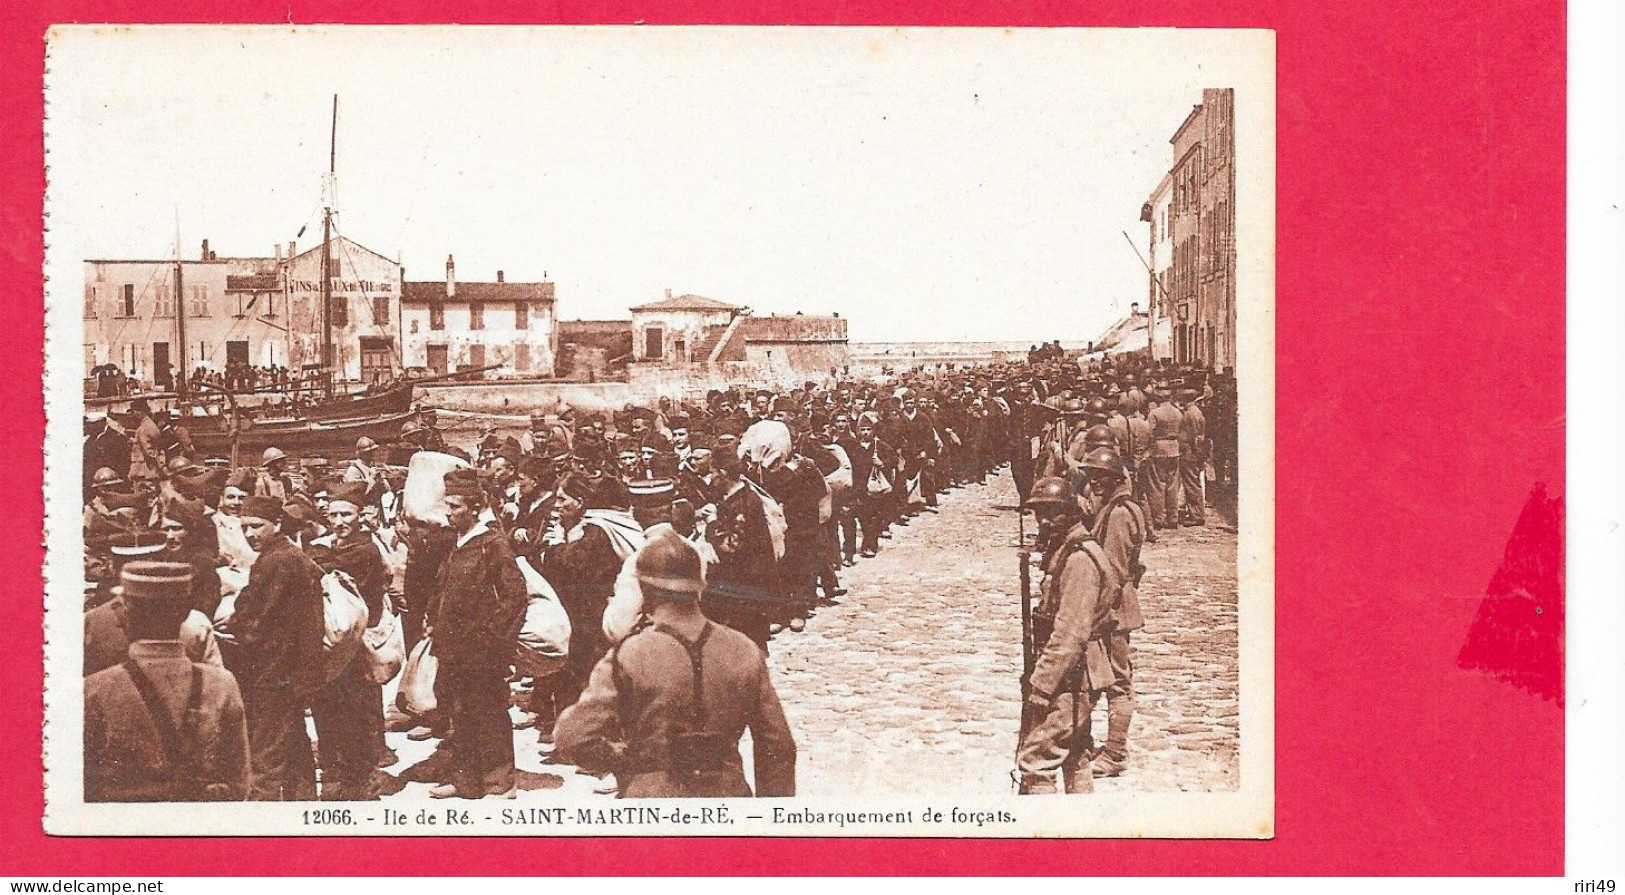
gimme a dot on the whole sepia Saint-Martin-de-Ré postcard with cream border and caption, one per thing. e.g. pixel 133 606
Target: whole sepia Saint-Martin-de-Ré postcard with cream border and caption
pixel 661 431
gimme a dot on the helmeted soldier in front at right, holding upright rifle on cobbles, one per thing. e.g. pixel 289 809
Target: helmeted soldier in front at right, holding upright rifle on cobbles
pixel 1072 668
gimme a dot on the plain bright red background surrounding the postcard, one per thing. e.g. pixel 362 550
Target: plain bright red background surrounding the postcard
pixel 1419 397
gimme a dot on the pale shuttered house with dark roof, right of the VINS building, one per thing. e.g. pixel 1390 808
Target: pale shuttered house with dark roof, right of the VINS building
pixel 451 326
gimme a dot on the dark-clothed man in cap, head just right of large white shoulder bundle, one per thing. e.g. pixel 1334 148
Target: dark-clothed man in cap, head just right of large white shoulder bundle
pixel 477 621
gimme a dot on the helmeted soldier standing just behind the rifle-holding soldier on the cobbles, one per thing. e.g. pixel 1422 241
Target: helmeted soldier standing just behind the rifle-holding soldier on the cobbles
pixel 1119 525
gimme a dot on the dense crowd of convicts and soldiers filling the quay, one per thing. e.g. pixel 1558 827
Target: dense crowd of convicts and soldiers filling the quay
pixel 678 538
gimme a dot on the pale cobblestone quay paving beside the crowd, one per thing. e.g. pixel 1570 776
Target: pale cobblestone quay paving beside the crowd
pixel 911 683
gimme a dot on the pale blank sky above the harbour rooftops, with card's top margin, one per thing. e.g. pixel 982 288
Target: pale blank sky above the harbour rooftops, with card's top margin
pixel 927 184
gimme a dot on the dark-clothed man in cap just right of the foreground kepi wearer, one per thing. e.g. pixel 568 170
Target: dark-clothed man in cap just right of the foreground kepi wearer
pixel 279 626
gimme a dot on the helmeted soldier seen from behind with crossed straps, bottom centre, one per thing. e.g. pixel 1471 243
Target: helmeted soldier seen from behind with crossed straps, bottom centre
pixel 678 696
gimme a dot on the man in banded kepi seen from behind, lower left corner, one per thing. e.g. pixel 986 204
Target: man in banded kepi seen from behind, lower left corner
pixel 160 727
